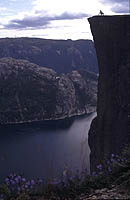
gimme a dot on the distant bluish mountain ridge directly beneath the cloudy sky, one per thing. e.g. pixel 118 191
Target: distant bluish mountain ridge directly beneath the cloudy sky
pixel 60 55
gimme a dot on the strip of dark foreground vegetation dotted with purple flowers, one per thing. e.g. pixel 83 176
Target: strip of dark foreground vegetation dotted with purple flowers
pixel 114 172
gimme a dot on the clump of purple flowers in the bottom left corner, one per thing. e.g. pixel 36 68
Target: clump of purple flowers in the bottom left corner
pixel 16 186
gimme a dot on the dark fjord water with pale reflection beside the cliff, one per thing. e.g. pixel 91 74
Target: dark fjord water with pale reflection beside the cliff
pixel 41 151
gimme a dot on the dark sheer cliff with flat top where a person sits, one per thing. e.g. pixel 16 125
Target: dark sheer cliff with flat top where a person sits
pixel 111 129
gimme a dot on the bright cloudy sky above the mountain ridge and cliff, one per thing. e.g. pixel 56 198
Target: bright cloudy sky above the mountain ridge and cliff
pixel 54 19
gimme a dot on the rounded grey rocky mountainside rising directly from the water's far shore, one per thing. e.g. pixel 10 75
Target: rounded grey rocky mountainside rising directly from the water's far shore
pixel 29 92
